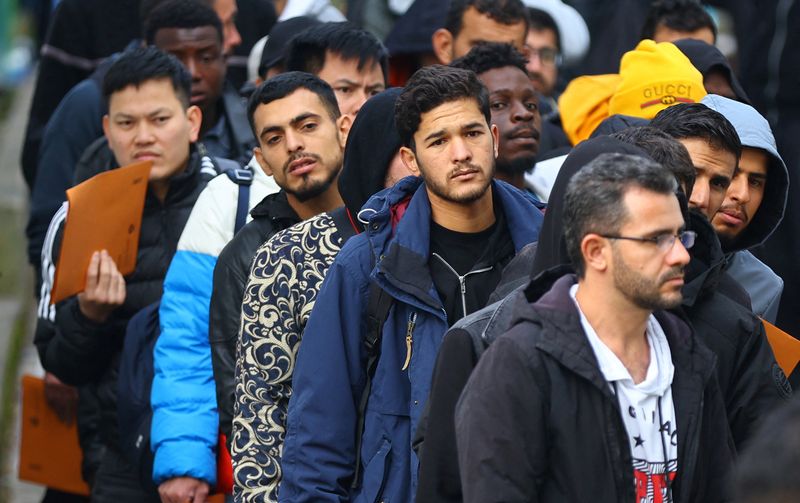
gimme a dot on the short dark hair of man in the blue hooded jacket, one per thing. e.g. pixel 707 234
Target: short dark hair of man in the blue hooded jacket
pixel 432 86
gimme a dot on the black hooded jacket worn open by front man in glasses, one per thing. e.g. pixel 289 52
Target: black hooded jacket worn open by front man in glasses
pixel 538 422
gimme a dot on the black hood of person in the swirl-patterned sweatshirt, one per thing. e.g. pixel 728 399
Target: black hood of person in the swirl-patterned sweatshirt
pixel 371 144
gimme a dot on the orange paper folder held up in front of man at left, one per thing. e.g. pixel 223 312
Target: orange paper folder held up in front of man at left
pixel 105 213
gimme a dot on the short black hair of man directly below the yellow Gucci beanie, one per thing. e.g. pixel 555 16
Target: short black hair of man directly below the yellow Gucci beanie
pixel 695 120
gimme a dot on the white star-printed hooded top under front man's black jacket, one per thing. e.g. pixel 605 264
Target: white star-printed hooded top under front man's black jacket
pixel 647 409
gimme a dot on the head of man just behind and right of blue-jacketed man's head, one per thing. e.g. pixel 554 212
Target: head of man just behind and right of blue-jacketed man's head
pixel 514 106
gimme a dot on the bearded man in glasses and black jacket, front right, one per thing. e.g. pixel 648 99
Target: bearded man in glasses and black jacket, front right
pixel 594 381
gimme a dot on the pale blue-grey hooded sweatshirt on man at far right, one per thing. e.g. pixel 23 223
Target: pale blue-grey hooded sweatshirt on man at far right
pixel 761 283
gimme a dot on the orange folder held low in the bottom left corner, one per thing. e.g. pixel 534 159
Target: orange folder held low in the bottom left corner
pixel 49 453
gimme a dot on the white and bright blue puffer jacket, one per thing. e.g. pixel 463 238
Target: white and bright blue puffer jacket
pixel 185 426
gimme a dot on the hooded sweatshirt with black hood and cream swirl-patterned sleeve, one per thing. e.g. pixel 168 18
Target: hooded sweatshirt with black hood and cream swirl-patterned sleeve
pixel 280 293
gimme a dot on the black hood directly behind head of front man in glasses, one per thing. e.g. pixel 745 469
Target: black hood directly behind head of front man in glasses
pixel 552 249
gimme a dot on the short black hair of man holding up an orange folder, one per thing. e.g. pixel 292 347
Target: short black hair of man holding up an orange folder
pixel 142 64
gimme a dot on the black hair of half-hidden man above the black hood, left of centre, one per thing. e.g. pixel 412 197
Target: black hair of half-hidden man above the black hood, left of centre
pixel 306 51
